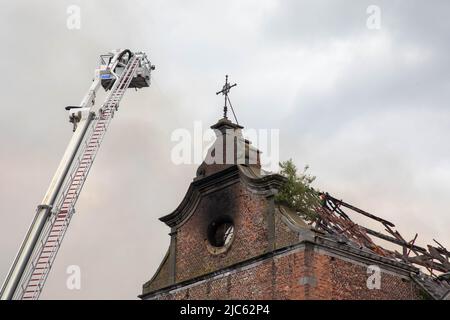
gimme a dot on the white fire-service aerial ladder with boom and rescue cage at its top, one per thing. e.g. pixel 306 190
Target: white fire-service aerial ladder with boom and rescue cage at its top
pixel 118 71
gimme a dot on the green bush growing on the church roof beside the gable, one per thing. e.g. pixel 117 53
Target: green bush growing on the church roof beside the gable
pixel 297 192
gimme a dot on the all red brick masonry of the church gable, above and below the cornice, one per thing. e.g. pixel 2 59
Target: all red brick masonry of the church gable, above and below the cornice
pixel 267 259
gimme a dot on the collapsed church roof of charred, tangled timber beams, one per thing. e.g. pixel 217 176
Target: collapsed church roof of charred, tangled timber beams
pixel 333 219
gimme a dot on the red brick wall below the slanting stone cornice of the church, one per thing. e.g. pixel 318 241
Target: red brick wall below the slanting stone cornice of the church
pixel 283 277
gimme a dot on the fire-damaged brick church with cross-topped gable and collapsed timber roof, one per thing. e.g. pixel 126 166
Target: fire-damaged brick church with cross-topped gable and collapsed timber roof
pixel 230 239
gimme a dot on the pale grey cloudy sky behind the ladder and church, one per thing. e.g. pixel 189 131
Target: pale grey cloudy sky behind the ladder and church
pixel 367 109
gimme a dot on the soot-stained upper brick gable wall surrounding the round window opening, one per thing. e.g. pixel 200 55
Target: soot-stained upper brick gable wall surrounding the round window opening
pixel 248 212
